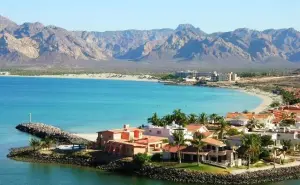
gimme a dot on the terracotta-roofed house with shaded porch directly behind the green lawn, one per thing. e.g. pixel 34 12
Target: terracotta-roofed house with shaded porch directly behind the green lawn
pixel 214 152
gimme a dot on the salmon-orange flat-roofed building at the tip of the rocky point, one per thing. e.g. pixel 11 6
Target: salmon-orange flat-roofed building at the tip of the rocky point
pixel 128 142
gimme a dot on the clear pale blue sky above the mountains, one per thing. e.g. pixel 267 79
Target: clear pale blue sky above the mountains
pixel 208 15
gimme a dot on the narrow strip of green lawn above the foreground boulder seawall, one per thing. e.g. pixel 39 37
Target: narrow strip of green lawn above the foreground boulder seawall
pixel 194 166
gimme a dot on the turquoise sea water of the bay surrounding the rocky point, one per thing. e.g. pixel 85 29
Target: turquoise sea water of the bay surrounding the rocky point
pixel 89 106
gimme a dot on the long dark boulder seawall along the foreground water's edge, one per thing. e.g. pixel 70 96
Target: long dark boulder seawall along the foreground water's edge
pixel 169 174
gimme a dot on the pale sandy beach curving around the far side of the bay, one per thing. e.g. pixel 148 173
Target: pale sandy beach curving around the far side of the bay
pixel 266 98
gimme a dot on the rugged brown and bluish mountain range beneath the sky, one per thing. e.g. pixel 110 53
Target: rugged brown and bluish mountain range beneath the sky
pixel 37 43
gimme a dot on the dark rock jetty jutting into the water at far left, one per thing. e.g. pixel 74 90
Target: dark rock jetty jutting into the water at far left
pixel 42 130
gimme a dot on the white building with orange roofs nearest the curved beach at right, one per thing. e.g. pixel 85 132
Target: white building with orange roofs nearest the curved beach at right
pixel 242 119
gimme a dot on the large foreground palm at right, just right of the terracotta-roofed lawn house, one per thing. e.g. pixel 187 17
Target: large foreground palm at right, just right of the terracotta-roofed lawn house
pixel 252 144
